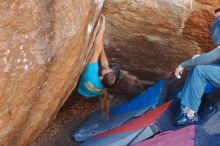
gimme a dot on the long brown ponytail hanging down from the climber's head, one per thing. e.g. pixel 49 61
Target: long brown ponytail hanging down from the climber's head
pixel 104 101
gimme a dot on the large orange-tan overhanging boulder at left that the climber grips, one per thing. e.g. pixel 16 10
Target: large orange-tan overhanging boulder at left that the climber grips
pixel 44 46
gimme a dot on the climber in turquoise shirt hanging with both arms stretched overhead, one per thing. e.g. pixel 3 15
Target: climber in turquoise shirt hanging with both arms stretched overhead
pixel 98 76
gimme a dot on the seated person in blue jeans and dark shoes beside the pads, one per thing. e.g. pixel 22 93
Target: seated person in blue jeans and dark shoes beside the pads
pixel 205 69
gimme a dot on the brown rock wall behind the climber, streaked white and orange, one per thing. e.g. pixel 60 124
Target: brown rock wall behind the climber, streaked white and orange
pixel 150 38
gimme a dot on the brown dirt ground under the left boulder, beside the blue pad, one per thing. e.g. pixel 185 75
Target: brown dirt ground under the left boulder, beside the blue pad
pixel 69 118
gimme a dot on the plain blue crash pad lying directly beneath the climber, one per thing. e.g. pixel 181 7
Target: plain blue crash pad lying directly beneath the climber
pixel 118 115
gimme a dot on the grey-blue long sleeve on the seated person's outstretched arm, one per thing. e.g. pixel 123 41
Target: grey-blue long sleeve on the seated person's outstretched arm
pixel 212 57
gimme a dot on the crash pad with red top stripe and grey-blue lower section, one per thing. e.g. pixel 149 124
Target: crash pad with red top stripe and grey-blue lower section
pixel 131 132
